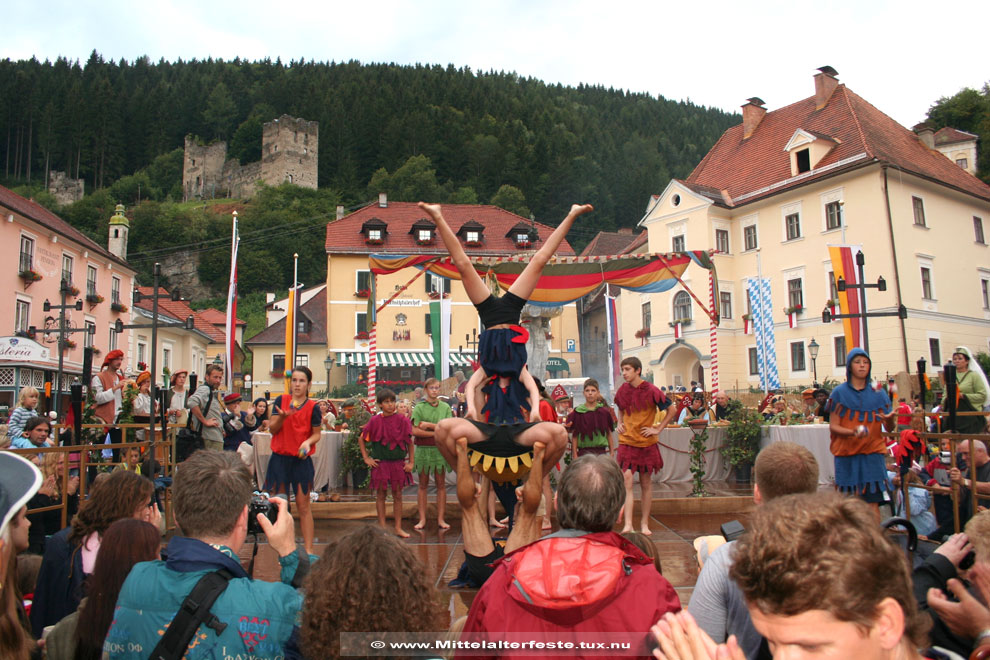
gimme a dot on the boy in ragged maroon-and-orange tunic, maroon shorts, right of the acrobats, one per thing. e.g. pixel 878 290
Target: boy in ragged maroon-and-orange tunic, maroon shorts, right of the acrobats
pixel 638 402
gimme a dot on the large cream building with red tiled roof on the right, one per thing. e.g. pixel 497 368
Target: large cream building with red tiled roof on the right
pixel 770 196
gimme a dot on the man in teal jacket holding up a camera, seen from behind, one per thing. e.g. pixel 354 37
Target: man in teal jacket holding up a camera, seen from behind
pixel 215 511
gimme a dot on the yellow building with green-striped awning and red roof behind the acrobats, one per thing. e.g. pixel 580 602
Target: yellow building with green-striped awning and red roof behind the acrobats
pixel 405 343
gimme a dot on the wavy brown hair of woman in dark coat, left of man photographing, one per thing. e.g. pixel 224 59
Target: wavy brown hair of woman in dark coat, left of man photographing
pixel 121 495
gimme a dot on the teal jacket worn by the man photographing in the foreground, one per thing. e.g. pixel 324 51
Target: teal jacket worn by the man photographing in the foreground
pixel 260 616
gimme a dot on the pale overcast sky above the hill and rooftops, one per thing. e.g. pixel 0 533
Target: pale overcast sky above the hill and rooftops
pixel 900 55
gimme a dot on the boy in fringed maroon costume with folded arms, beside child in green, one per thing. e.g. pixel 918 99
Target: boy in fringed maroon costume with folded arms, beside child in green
pixel 385 442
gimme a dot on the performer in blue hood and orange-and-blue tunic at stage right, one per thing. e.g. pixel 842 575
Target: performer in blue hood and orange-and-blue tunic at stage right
pixel 857 415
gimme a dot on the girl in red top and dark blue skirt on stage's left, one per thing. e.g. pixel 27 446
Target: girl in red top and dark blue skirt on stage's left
pixel 295 428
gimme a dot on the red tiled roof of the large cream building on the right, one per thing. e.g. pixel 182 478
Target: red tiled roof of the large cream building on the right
pixel 759 166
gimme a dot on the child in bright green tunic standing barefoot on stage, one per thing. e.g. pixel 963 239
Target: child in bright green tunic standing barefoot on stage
pixel 428 459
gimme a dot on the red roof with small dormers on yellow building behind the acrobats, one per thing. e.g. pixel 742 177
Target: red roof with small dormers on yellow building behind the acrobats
pixel 345 235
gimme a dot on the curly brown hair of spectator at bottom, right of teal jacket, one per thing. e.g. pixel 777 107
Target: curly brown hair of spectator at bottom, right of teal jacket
pixel 367 582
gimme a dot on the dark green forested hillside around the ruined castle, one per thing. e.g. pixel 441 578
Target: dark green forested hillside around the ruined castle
pixel 413 131
